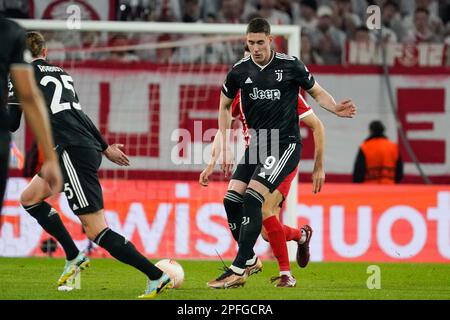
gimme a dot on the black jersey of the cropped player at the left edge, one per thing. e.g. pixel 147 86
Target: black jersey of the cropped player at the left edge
pixel 13 47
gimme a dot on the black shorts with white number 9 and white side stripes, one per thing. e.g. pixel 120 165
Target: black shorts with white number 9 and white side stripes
pixel 271 168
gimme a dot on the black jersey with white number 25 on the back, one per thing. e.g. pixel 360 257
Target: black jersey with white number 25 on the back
pixel 70 125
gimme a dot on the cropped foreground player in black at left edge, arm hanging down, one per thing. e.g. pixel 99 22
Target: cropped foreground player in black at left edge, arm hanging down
pixel 12 60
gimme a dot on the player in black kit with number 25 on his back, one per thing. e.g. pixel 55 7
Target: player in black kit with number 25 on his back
pixel 79 145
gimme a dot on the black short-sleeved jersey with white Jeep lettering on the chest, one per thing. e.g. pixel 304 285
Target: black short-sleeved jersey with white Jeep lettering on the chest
pixel 269 94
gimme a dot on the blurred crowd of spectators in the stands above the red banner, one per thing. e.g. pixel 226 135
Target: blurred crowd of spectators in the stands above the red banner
pixel 327 25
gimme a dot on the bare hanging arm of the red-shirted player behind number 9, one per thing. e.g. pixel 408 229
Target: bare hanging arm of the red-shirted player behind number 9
pixel 318 175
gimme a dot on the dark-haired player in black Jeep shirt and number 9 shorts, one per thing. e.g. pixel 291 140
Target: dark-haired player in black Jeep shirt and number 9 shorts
pixel 269 82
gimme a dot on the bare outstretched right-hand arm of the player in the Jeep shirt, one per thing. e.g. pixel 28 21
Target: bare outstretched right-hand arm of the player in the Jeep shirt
pixel 344 109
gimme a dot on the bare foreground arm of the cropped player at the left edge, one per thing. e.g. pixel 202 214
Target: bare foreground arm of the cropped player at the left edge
pixel 33 106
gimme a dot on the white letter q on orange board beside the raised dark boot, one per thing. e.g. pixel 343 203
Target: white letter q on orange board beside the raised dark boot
pixel 315 216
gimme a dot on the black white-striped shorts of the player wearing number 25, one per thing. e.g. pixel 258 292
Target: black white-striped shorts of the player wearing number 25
pixel 82 187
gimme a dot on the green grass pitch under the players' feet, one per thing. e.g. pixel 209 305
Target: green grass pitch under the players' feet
pixel 107 279
